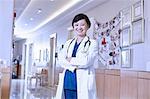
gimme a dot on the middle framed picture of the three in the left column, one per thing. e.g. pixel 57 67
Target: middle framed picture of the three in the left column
pixel 125 36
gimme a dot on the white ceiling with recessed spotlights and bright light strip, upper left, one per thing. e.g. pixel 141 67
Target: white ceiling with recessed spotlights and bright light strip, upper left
pixel 29 20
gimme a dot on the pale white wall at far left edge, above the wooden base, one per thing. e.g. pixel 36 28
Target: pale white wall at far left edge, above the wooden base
pixel 6 21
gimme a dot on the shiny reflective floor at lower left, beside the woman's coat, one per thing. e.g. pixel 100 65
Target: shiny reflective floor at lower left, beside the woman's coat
pixel 20 90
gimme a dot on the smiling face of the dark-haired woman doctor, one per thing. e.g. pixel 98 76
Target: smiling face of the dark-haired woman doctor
pixel 81 27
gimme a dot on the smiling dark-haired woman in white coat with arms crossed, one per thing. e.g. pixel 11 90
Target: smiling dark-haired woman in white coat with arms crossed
pixel 77 58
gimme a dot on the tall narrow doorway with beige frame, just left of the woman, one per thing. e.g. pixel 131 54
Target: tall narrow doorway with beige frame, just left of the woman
pixel 52 63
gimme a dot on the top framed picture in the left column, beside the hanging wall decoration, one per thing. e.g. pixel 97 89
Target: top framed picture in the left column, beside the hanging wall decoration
pixel 126 17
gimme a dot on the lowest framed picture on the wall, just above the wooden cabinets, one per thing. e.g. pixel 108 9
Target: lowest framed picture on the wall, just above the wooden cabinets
pixel 126 58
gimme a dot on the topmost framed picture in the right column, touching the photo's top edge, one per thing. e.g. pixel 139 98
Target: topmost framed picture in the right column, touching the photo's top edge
pixel 137 10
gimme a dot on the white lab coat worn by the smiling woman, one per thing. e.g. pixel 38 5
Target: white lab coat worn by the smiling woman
pixel 85 56
